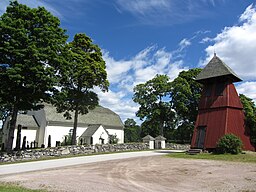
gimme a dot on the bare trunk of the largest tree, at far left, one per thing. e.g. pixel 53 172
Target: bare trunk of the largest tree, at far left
pixel 11 129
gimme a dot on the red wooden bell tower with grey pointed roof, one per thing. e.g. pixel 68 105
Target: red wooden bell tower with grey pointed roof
pixel 220 110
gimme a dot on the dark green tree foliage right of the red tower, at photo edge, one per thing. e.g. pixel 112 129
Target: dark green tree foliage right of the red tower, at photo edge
pixel 250 117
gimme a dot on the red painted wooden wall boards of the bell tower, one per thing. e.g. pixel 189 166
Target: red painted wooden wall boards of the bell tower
pixel 221 114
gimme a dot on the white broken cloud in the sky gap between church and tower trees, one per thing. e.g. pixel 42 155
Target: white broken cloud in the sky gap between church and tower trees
pixel 124 74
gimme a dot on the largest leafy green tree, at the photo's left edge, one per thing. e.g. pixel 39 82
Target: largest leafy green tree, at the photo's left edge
pixel 31 40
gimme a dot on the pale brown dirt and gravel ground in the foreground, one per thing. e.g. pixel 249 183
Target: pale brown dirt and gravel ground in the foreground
pixel 144 174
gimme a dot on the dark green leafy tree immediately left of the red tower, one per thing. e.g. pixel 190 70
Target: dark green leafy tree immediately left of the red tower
pixel 185 96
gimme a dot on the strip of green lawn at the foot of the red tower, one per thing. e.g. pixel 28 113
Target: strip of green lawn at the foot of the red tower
pixel 249 157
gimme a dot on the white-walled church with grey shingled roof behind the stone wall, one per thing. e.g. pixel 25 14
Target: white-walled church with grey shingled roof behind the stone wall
pixel 95 127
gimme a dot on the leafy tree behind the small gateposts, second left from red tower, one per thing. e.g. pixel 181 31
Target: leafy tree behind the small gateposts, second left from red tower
pixel 151 96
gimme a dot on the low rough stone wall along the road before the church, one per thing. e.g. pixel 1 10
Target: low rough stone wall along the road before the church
pixel 42 153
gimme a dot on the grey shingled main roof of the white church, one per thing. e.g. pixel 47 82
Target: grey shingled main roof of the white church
pixel 99 115
